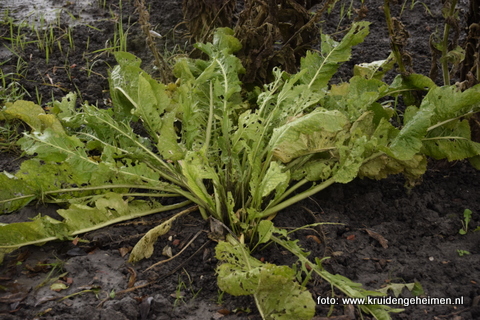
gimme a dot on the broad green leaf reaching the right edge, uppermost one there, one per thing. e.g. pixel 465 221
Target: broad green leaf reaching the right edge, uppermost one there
pixel 437 116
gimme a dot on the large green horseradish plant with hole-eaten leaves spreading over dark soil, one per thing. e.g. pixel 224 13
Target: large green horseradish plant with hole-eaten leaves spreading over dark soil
pixel 239 156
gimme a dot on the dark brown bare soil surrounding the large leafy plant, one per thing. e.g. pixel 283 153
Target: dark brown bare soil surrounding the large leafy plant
pixel 421 225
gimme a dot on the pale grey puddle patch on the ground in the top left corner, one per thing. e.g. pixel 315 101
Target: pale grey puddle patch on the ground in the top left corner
pixel 45 12
